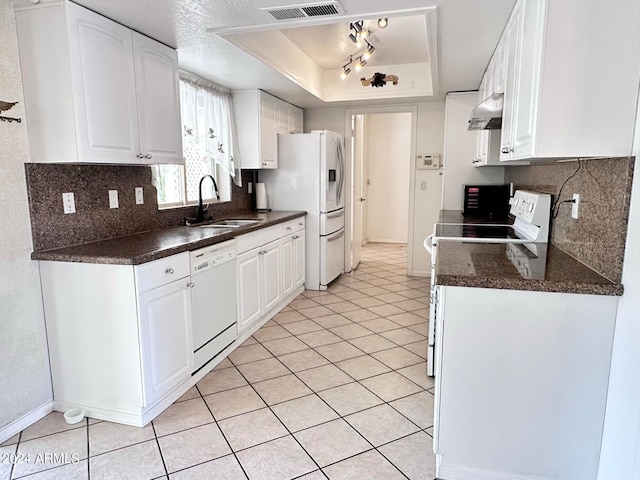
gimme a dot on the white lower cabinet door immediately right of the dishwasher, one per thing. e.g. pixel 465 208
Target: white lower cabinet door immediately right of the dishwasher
pixel 249 291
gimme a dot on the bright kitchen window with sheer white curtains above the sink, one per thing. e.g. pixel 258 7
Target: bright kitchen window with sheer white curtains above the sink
pixel 208 147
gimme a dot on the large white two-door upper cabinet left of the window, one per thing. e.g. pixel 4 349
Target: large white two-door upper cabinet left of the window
pixel 95 91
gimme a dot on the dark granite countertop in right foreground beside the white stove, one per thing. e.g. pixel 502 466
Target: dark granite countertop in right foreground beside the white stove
pixel 515 267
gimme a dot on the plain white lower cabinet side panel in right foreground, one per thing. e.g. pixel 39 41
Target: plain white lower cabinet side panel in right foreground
pixel 529 370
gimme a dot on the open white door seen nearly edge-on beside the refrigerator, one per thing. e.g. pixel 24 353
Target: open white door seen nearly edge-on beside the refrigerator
pixel 358 190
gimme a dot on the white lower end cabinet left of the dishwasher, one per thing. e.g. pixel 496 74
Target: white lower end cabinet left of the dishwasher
pixel 120 337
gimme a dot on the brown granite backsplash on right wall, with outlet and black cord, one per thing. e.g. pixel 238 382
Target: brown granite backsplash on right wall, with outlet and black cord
pixel 597 238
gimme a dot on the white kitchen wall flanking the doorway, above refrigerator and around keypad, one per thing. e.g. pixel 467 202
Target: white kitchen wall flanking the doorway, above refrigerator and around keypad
pixel 430 139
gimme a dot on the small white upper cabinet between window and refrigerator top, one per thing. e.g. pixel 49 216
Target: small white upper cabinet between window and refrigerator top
pixel 259 118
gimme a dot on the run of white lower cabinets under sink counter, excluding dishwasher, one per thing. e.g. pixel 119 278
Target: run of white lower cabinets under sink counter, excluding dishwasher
pixel 120 336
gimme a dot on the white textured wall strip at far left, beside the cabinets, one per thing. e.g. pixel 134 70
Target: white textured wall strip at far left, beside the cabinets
pixel 25 382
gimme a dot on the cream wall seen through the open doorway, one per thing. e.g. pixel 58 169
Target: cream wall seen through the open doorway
pixel 388 155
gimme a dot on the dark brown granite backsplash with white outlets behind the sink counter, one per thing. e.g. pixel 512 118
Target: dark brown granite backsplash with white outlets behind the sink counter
pixel 94 220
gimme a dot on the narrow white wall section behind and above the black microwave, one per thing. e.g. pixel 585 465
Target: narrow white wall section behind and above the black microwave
pixel 459 151
